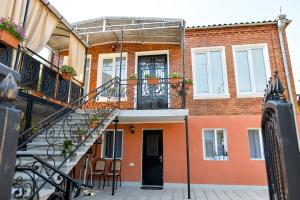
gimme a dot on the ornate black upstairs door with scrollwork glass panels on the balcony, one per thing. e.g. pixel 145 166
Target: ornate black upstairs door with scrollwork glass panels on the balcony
pixel 152 96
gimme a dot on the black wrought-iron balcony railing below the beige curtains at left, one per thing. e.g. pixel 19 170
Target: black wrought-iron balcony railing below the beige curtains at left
pixel 40 77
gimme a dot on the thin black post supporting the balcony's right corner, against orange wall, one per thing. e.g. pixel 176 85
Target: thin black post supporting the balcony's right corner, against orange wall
pixel 187 156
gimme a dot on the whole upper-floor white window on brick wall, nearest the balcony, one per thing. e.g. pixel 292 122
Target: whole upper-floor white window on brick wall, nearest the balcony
pixel 209 73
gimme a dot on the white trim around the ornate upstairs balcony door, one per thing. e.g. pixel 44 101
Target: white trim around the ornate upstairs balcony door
pixel 150 53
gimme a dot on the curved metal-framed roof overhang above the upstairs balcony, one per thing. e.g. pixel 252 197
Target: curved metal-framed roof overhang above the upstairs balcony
pixel 106 30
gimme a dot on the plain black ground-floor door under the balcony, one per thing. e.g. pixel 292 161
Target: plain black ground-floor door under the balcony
pixel 152 157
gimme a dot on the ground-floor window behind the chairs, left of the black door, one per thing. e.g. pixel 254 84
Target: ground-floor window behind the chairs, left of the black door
pixel 108 144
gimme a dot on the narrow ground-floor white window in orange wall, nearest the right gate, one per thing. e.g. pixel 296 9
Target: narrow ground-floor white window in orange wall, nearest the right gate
pixel 255 144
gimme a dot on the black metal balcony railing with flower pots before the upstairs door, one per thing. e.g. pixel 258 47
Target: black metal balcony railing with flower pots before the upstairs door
pixel 142 94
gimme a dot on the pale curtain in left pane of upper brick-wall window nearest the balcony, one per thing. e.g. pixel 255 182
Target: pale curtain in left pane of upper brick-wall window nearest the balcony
pixel 201 73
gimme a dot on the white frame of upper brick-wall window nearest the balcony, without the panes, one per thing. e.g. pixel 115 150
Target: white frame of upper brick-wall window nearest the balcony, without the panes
pixel 209 95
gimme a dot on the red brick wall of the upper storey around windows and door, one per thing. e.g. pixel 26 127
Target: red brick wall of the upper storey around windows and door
pixel 208 38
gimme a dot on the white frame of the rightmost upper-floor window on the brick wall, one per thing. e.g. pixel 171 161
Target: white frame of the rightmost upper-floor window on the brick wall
pixel 248 48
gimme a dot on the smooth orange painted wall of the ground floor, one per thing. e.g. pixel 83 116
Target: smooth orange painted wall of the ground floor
pixel 238 170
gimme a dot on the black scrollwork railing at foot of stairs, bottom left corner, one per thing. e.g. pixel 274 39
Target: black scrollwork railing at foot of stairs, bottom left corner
pixel 37 169
